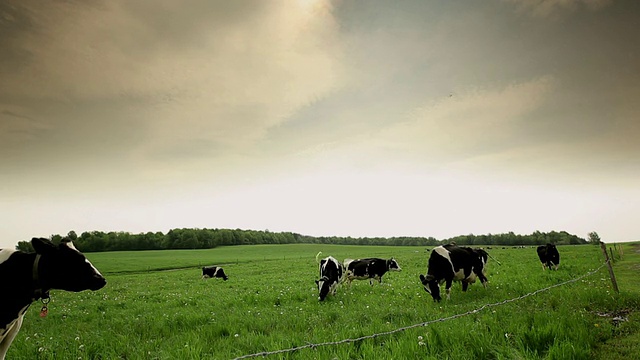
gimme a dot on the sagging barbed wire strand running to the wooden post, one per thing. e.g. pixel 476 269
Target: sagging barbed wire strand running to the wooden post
pixel 422 324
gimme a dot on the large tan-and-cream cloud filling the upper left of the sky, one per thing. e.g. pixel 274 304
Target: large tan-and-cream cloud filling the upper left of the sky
pixel 191 79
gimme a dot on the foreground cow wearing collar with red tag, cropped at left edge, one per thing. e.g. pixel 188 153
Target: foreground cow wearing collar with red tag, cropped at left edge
pixel 28 277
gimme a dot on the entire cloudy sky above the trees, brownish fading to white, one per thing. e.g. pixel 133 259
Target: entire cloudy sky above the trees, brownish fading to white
pixel 324 118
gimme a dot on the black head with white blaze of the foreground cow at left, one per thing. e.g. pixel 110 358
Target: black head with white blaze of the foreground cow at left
pixel 65 268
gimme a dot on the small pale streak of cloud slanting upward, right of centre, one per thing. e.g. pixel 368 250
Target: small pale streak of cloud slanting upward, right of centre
pixel 469 123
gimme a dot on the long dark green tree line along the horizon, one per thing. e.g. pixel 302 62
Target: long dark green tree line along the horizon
pixel 97 241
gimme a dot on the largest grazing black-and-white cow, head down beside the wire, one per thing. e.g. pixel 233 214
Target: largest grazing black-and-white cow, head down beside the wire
pixel 450 262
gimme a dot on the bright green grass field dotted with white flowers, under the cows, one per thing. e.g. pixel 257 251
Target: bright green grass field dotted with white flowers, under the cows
pixel 156 306
